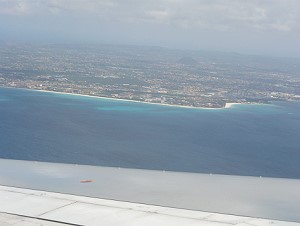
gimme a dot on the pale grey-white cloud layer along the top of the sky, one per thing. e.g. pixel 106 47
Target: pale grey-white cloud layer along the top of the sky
pixel 280 15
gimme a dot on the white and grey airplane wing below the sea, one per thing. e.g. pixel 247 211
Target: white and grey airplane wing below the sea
pixel 65 194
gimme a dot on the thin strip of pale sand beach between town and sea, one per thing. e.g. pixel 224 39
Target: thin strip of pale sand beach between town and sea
pixel 227 105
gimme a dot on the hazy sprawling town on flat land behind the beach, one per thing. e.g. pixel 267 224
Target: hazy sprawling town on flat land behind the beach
pixel 151 74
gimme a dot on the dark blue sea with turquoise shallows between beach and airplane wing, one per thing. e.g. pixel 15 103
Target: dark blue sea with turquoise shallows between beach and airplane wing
pixel 259 140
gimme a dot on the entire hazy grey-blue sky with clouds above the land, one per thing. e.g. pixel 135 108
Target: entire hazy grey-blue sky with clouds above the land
pixel 268 27
